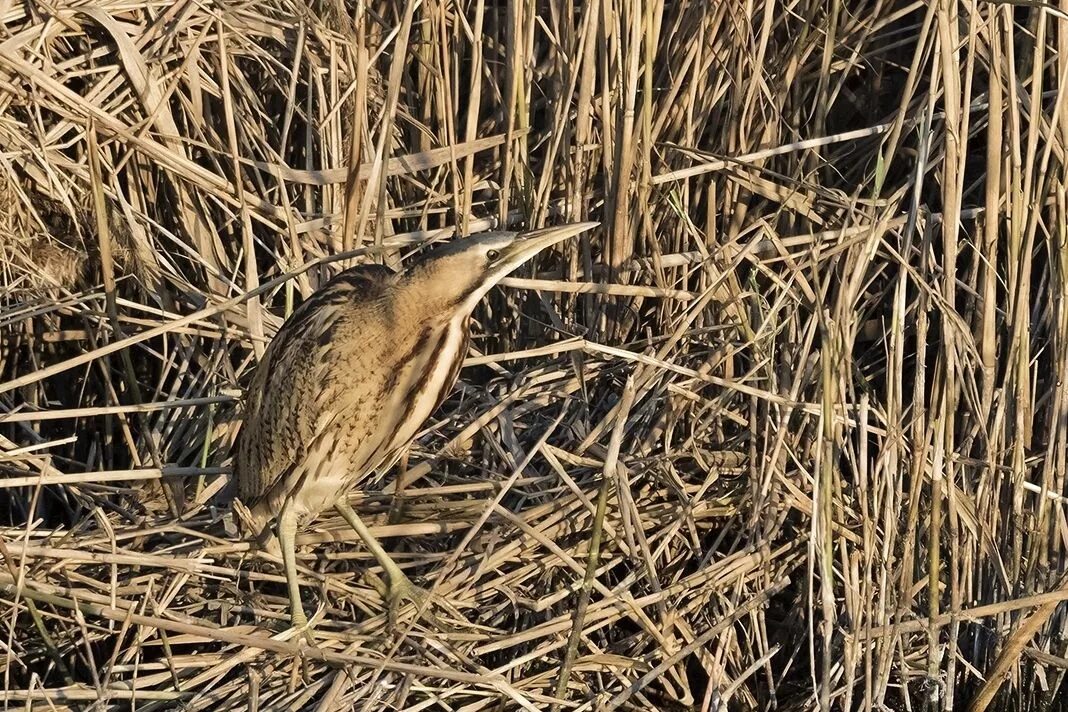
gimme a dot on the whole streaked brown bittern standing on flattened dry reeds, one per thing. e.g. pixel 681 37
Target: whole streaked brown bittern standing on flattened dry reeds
pixel 351 377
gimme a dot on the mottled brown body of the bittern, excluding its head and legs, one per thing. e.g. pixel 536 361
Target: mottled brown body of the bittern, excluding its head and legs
pixel 333 406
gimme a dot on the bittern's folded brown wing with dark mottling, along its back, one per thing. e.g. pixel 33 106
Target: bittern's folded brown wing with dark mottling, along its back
pixel 286 412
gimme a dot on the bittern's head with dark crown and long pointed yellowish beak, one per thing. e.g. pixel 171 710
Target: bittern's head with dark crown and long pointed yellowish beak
pixel 461 273
